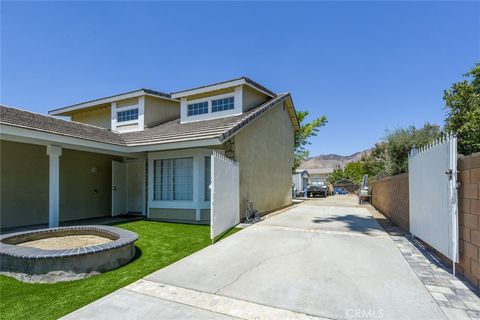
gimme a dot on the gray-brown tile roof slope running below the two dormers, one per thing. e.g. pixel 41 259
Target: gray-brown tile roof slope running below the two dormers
pixel 173 131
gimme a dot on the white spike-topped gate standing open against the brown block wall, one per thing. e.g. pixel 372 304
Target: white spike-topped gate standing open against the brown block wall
pixel 432 177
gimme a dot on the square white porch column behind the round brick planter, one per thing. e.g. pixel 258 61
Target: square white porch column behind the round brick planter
pixel 54 154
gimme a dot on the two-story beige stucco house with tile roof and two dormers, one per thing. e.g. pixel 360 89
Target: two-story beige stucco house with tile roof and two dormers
pixel 146 152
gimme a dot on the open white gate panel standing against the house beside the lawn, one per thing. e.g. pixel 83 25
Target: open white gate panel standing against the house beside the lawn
pixel 225 195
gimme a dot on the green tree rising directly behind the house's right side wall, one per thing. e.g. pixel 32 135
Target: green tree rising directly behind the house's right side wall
pixel 307 130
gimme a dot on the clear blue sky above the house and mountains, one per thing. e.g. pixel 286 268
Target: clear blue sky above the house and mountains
pixel 368 66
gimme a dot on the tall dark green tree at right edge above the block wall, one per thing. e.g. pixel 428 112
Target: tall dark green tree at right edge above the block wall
pixel 462 102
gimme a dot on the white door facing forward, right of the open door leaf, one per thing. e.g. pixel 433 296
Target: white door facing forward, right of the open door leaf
pixel 136 186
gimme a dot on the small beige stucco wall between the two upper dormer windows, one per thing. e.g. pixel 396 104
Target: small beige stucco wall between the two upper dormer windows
pixel 160 110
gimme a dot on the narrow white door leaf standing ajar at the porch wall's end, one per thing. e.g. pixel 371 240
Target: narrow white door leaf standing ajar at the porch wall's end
pixel 119 188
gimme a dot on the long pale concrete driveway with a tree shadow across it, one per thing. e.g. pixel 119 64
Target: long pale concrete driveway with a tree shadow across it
pixel 323 258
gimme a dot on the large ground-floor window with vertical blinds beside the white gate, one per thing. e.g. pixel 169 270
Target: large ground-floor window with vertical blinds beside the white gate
pixel 173 179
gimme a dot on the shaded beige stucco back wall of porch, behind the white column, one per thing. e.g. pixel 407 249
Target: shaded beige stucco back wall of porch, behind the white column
pixel 24 184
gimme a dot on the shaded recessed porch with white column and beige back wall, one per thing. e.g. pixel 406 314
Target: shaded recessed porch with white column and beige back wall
pixel 45 184
